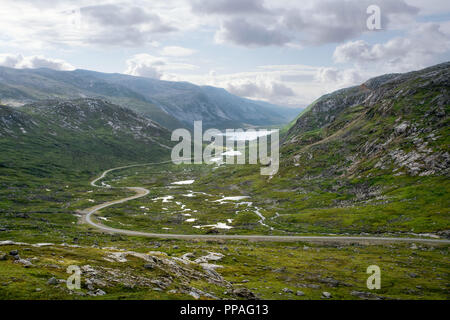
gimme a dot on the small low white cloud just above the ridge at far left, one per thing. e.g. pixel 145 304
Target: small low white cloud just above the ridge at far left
pixel 18 61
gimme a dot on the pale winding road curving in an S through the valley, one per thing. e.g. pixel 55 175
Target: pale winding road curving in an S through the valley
pixel 142 192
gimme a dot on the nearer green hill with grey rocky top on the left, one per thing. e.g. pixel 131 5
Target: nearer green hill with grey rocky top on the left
pixel 50 137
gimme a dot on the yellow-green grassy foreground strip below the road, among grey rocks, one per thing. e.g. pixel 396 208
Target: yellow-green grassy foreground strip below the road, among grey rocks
pixel 269 270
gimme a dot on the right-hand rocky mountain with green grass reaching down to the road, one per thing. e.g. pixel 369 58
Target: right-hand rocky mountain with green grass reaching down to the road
pixel 373 158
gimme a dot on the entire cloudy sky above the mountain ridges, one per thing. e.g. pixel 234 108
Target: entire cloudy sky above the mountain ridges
pixel 288 52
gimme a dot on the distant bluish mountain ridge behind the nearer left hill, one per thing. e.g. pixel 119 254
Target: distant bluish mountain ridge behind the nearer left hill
pixel 172 104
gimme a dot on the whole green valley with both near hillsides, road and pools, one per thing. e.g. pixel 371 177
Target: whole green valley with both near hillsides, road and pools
pixel 363 181
